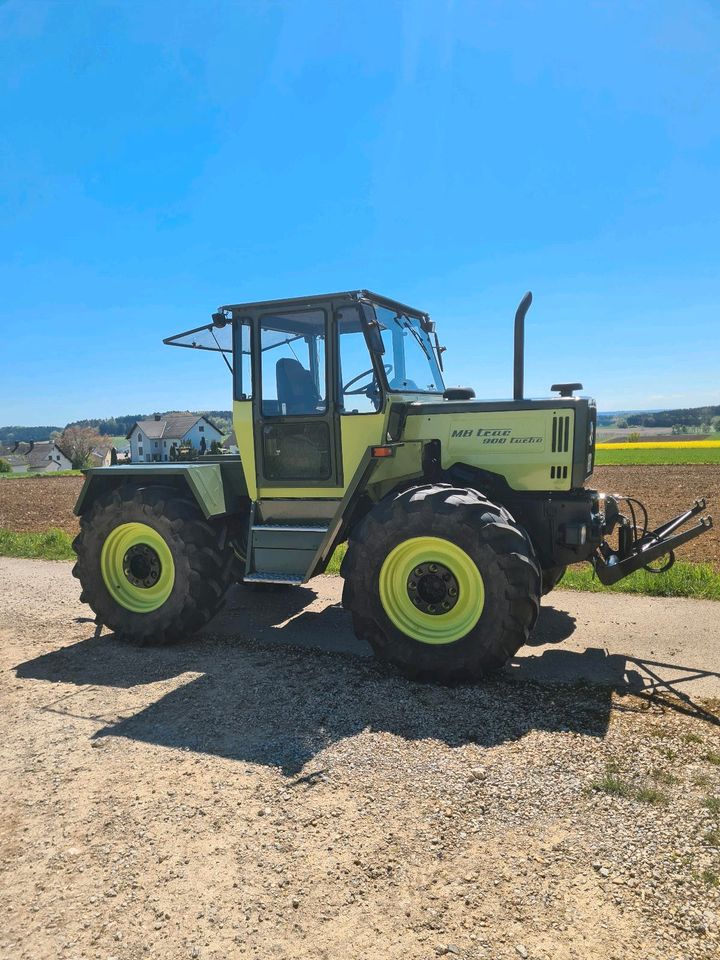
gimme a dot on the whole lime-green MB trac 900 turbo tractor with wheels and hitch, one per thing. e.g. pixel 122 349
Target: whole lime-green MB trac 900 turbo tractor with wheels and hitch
pixel 458 513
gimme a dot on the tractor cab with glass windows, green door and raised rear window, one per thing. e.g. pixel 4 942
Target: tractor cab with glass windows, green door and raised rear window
pixel 314 381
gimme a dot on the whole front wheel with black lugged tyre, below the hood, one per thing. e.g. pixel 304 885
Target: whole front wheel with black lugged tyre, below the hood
pixel 396 560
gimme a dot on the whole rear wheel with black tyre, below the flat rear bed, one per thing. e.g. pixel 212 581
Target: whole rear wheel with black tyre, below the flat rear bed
pixel 151 567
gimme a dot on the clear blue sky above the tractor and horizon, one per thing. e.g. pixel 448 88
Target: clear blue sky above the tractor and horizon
pixel 158 159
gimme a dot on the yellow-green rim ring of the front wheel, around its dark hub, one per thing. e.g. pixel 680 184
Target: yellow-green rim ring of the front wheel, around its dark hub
pixel 443 626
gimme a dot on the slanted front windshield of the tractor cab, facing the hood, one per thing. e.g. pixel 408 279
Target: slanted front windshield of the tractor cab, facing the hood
pixel 409 355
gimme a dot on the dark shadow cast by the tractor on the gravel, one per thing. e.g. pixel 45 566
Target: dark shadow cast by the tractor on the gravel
pixel 276 683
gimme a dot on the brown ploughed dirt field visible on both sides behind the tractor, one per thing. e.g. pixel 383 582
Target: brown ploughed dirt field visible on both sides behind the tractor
pixel 47 502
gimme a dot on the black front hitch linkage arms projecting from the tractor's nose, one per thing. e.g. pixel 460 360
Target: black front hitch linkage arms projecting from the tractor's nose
pixel 638 548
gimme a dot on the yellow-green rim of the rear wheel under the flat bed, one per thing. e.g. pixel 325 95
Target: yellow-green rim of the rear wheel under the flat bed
pixel 137 567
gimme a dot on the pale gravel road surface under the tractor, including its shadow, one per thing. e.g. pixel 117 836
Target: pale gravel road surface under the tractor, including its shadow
pixel 268 790
